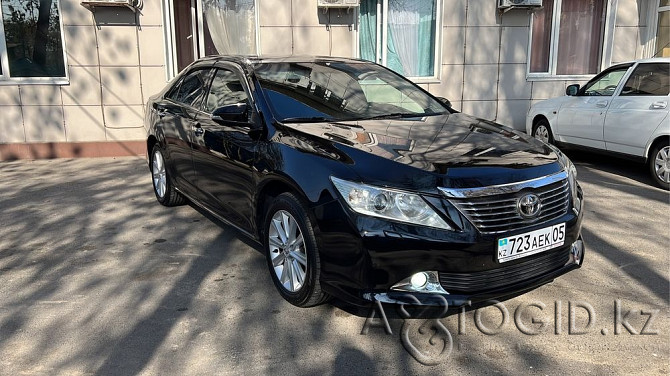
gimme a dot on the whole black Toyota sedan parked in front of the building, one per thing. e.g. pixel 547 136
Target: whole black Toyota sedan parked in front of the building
pixel 359 184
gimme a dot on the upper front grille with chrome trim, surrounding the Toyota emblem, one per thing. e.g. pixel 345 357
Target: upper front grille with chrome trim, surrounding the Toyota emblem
pixel 498 213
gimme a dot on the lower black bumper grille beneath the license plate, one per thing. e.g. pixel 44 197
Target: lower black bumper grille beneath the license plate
pixel 482 281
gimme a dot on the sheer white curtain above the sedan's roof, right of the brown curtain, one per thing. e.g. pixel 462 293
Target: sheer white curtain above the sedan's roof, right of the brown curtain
pixel 232 26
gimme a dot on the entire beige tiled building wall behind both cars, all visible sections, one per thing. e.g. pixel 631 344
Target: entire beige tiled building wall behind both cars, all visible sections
pixel 116 60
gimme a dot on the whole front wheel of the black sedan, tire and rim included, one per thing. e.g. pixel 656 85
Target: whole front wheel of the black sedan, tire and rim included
pixel 291 252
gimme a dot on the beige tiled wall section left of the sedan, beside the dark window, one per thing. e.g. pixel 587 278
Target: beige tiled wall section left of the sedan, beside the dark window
pixel 115 60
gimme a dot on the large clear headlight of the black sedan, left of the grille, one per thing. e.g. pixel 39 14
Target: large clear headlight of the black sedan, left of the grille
pixel 390 204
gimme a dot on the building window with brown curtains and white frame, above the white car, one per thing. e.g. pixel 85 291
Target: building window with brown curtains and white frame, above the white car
pixel 567 37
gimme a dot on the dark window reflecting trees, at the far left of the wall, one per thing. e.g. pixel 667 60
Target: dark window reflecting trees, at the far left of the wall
pixel 31 41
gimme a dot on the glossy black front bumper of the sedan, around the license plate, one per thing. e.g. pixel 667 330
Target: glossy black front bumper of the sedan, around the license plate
pixel 363 257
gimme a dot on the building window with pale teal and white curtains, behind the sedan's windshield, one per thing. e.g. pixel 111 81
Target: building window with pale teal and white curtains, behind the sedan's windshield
pixel 402 35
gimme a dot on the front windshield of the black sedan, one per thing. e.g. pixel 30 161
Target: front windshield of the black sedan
pixel 339 91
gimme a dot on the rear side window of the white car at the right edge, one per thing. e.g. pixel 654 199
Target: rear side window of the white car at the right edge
pixel 648 79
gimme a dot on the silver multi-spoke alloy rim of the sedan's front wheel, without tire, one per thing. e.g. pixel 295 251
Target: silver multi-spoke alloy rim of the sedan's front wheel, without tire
pixel 287 251
